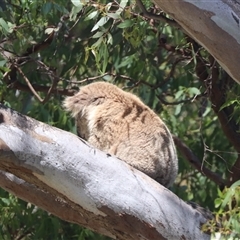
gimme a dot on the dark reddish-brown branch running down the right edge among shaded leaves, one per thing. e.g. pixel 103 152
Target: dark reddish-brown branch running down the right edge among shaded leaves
pixel 217 96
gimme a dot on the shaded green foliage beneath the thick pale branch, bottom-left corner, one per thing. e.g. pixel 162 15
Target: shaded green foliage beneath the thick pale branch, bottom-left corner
pixel 21 220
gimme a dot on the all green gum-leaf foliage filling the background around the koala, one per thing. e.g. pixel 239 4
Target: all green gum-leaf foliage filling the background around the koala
pixel 49 49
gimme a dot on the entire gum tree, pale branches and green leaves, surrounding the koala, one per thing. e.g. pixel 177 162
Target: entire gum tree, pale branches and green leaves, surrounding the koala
pixel 158 51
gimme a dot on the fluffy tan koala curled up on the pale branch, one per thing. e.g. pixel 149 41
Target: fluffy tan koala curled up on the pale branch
pixel 120 124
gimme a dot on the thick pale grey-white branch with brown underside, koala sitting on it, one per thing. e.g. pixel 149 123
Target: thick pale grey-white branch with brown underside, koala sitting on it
pixel 122 202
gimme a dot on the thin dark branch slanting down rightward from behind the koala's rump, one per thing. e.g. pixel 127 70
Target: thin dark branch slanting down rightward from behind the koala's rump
pixel 196 163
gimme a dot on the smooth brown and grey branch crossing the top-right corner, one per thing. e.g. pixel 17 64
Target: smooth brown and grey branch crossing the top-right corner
pixel 214 24
